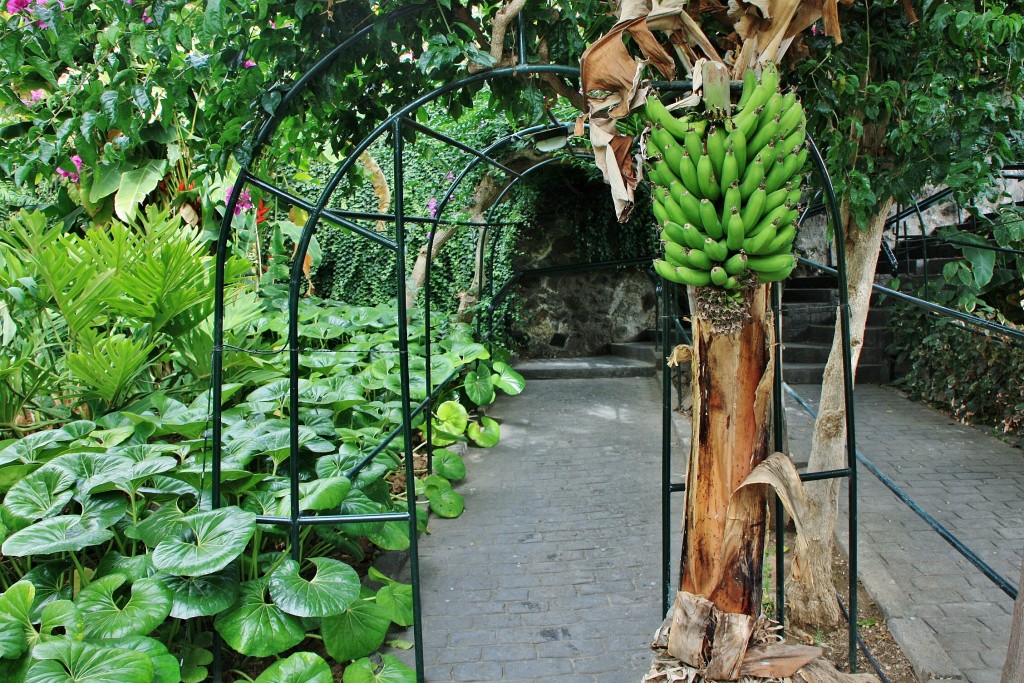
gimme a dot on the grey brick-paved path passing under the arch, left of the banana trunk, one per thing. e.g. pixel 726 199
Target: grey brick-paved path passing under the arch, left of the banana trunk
pixel 552 573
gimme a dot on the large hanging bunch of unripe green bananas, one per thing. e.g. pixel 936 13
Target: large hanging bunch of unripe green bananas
pixel 727 189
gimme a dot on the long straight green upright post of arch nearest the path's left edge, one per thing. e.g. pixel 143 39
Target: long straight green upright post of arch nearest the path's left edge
pixel 407 410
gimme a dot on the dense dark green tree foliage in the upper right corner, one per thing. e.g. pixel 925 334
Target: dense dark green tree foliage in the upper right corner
pixel 900 106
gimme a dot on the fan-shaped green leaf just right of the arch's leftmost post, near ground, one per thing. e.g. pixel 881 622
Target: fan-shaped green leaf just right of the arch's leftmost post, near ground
pixel 255 626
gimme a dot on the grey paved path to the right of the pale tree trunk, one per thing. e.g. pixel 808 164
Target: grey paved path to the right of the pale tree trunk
pixel 974 486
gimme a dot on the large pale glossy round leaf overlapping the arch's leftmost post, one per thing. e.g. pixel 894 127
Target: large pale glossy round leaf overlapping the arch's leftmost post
pixel 211 540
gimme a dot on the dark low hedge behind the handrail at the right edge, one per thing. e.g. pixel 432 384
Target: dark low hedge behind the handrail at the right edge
pixel 978 378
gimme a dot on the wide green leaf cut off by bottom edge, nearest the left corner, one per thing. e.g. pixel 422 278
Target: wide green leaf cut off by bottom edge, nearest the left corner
pixel 66 661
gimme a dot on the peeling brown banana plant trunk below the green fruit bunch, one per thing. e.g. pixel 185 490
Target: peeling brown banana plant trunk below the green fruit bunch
pixel 733 375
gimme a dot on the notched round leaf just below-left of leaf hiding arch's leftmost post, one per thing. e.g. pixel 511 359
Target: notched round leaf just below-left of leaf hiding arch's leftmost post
pixel 148 607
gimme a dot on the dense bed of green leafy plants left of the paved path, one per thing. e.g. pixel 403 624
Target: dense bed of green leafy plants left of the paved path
pixel 118 564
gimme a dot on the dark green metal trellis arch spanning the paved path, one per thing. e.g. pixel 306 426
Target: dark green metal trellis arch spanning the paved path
pixel 397 124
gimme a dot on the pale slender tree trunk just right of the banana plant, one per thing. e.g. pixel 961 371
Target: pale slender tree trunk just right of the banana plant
pixel 810 596
